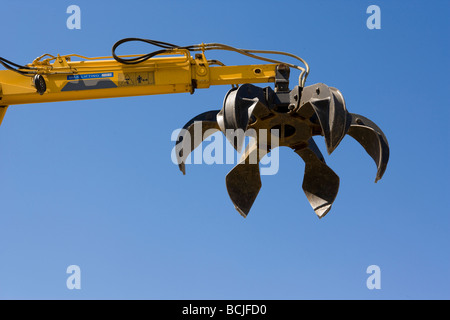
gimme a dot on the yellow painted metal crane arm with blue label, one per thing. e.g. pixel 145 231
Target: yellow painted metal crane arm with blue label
pixel 95 78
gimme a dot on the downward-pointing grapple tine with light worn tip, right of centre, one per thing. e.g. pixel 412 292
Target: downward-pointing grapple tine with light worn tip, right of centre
pixel 320 183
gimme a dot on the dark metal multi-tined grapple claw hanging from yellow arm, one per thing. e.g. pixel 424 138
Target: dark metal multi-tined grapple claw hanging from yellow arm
pixel 293 117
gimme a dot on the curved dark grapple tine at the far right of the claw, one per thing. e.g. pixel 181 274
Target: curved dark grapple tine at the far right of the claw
pixel 373 140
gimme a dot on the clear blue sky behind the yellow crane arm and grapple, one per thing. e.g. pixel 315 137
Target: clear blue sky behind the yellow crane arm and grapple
pixel 92 183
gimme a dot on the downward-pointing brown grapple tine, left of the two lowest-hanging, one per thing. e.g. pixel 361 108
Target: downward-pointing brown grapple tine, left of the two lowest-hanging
pixel 244 180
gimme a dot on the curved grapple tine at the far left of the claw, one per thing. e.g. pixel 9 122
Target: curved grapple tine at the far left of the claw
pixel 204 125
